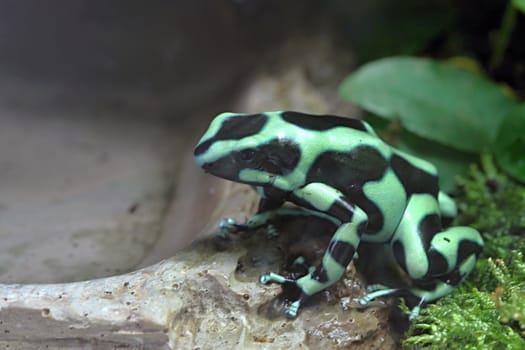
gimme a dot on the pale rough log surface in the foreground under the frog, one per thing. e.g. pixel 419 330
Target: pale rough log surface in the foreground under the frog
pixel 207 296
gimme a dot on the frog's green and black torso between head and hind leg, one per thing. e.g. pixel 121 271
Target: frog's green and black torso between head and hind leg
pixel 353 159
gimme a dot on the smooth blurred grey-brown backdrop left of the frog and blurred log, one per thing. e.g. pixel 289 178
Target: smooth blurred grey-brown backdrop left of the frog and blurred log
pixel 100 105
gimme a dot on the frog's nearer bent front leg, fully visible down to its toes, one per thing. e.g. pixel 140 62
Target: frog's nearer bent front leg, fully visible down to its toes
pixel 342 246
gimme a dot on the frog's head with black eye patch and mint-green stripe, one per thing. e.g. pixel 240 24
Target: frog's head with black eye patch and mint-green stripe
pixel 246 148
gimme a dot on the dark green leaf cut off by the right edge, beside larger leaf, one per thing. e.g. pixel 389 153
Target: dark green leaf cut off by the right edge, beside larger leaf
pixel 510 144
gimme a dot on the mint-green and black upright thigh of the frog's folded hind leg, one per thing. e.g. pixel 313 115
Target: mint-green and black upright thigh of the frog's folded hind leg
pixel 411 240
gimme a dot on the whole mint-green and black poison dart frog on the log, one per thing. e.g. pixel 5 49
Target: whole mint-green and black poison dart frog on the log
pixel 339 168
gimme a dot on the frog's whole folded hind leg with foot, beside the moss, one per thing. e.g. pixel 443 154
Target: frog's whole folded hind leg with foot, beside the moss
pixel 436 260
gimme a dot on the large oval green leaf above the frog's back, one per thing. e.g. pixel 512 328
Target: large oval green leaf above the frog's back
pixel 432 99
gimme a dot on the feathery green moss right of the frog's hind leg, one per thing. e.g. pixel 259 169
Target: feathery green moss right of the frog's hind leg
pixel 488 311
